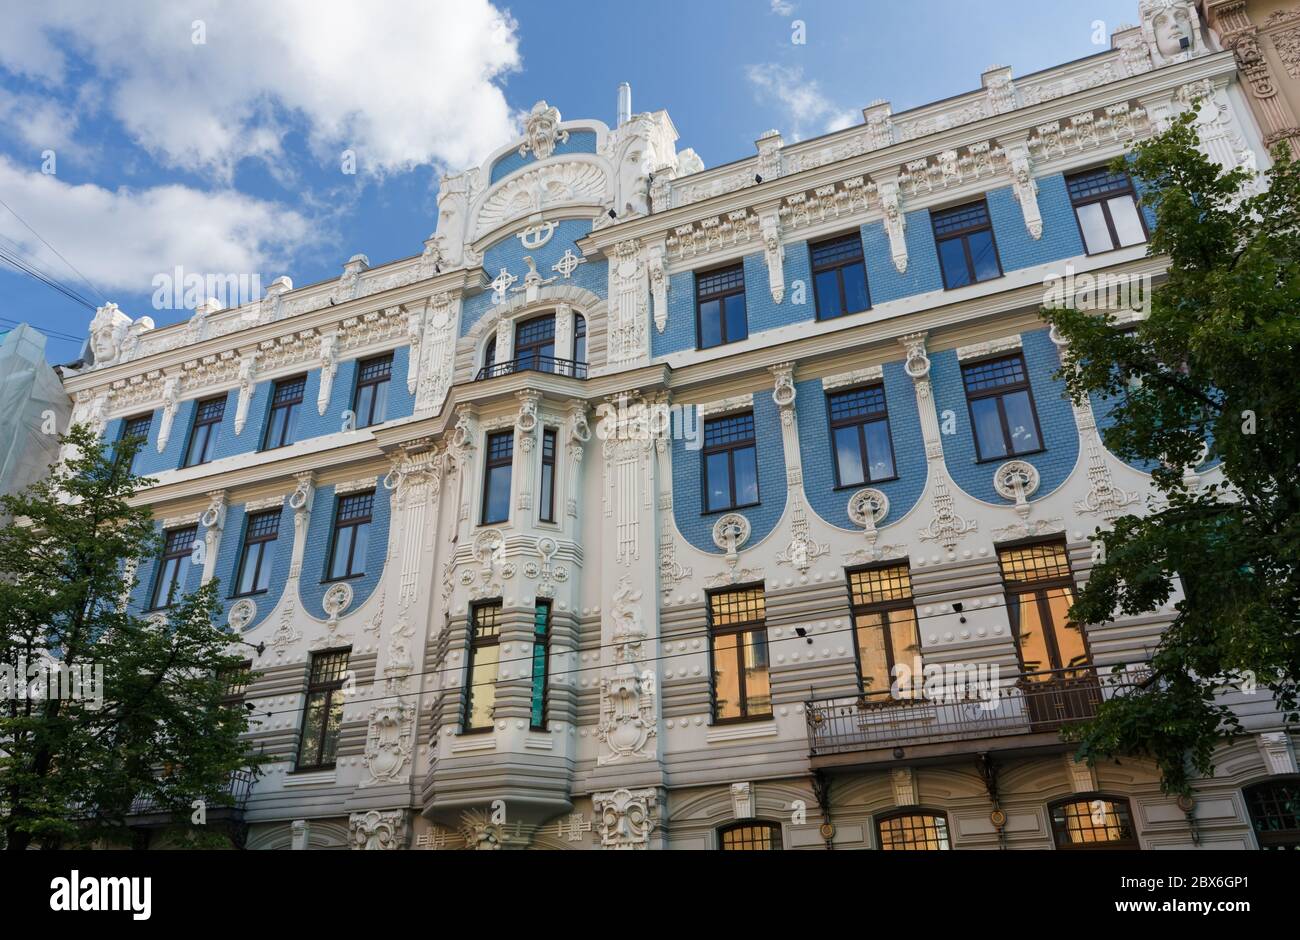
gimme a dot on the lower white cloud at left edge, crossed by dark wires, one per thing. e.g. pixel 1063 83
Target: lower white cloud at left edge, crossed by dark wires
pixel 122 239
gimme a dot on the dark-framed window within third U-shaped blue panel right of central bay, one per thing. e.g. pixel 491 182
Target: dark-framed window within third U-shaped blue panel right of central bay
pixel 1002 408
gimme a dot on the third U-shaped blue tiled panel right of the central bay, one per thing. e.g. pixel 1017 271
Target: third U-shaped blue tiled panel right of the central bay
pixel 1056 422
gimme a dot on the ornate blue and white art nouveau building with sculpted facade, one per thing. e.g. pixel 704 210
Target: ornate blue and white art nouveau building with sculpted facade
pixel 604 522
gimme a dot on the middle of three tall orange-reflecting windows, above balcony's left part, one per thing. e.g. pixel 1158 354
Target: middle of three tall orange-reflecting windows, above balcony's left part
pixel 885 629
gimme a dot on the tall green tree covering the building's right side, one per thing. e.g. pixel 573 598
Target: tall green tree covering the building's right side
pixel 1208 376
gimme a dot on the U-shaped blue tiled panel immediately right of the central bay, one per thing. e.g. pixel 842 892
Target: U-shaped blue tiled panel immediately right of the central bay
pixel 688 483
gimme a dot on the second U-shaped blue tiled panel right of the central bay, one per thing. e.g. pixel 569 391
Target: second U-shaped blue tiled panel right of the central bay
pixel 818 457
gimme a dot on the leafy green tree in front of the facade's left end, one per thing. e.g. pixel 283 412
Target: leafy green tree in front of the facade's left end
pixel 72 768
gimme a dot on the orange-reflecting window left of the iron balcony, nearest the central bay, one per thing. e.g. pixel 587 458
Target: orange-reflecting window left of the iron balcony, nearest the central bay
pixel 738 630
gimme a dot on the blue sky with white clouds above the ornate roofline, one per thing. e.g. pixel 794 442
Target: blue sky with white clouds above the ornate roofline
pixel 140 137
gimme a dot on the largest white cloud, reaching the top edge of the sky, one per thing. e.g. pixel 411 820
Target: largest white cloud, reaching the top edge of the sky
pixel 401 83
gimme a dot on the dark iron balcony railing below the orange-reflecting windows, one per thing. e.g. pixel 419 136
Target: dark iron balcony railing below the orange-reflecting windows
pixel 1021 704
